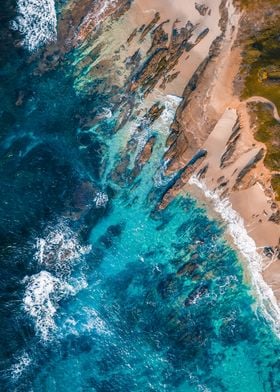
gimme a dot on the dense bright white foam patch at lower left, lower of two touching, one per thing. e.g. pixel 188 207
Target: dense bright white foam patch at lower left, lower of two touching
pixel 41 298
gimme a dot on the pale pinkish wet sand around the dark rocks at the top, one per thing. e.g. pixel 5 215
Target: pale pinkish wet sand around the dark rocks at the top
pixel 176 14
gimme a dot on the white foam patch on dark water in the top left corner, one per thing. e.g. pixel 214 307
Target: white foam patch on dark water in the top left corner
pixel 36 22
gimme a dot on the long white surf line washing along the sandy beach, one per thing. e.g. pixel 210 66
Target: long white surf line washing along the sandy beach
pixel 247 248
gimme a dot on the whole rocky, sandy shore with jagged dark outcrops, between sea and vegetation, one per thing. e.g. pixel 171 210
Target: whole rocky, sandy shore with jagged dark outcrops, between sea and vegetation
pixel 188 51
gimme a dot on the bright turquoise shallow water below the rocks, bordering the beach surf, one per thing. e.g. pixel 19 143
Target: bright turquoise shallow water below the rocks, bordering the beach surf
pixel 157 303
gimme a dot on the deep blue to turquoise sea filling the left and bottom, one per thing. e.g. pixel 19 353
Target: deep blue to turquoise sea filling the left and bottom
pixel 101 291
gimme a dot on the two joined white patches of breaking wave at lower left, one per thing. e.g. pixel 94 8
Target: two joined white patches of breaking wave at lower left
pixel 57 252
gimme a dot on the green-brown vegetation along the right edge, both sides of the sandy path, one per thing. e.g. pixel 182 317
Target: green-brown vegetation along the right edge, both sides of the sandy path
pixel 261 74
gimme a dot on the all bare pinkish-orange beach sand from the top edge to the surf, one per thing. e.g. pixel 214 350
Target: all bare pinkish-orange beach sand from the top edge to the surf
pixel 213 110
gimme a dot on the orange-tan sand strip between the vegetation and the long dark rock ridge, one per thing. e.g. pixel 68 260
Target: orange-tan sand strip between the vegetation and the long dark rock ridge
pixel 241 178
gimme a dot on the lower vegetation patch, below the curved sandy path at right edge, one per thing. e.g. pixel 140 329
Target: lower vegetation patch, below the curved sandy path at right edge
pixel 268 132
